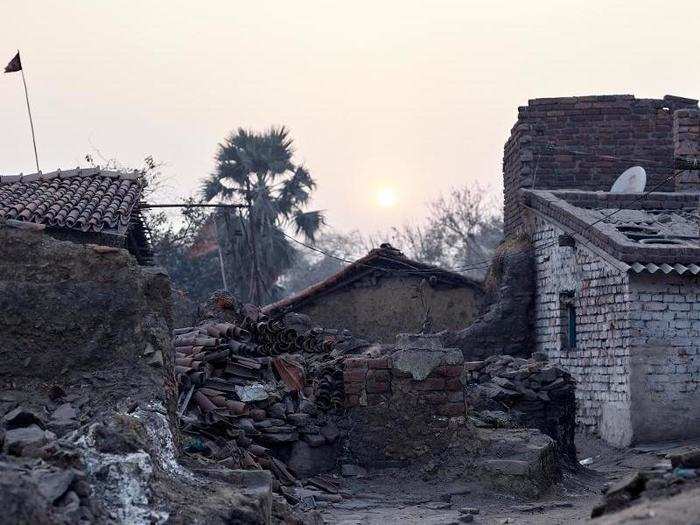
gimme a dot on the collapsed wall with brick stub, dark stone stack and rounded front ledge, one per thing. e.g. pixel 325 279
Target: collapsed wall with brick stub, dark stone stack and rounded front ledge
pixel 505 421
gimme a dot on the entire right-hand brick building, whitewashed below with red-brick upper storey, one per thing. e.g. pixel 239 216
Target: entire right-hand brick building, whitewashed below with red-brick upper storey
pixel 617 299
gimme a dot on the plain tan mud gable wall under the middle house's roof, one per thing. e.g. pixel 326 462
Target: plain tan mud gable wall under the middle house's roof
pixel 379 310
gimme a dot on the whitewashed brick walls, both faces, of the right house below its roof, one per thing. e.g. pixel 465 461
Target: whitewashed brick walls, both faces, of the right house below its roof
pixel 637 354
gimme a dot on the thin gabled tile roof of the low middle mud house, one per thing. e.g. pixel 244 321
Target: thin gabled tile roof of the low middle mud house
pixel 385 260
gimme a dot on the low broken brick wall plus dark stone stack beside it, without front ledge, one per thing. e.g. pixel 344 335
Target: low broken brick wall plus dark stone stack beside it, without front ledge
pixel 414 400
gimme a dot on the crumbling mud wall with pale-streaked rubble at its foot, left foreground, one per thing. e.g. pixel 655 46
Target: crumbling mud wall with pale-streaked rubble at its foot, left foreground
pixel 88 396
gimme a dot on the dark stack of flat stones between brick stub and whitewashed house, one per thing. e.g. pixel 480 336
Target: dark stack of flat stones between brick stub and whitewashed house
pixel 507 391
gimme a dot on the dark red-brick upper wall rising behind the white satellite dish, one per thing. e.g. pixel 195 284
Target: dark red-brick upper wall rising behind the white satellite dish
pixel 619 125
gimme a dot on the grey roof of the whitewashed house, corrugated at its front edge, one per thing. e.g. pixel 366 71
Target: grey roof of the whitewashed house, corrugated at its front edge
pixel 653 233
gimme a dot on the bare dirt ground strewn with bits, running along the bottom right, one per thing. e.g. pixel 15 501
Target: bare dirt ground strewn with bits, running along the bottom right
pixel 400 495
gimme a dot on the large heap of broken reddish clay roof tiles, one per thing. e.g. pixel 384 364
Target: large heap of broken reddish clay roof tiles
pixel 250 389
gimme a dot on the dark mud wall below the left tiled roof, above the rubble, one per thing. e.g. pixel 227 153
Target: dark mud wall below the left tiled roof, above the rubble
pixel 76 313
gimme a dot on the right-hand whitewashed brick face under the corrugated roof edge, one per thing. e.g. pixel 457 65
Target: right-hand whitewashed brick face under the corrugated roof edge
pixel 665 356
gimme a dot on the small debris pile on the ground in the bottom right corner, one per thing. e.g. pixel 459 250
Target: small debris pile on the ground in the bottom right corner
pixel 677 472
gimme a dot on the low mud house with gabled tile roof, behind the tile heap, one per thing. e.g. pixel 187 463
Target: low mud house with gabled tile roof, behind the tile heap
pixel 379 296
